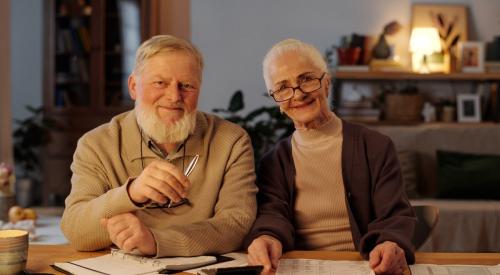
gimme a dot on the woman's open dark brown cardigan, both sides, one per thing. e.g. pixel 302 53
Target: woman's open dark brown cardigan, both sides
pixel 377 204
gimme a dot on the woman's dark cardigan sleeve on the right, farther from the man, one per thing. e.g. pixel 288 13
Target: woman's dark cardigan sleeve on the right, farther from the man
pixel 395 219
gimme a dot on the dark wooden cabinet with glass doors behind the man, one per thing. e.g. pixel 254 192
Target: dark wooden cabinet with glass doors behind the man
pixel 89 52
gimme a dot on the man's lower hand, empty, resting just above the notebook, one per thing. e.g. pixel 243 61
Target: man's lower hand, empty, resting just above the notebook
pixel 127 232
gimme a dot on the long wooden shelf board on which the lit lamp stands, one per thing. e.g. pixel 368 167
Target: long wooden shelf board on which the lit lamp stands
pixel 371 75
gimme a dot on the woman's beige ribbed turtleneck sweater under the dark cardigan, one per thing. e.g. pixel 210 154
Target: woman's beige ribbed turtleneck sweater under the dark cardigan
pixel 321 218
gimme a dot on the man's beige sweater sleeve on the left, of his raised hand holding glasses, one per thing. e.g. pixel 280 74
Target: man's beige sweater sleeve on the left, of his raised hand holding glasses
pixel 91 198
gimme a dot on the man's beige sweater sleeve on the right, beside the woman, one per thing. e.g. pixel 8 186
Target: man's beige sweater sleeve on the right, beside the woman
pixel 234 212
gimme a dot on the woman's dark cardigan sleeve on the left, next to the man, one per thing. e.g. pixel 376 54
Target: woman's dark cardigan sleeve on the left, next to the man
pixel 274 216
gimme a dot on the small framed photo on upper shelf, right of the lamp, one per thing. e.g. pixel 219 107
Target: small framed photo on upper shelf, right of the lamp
pixel 471 57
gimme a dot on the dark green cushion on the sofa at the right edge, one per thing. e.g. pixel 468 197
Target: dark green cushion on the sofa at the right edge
pixel 468 176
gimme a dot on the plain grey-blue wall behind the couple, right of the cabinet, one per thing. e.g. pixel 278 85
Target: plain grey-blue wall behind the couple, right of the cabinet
pixel 234 35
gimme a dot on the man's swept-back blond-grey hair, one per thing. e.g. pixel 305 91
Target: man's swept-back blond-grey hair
pixel 164 43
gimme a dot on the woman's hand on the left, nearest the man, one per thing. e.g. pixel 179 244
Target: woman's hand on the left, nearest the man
pixel 265 250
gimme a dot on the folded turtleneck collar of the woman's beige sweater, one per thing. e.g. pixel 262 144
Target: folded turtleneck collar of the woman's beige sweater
pixel 331 128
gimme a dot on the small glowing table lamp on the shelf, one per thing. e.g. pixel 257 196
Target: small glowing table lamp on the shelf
pixel 423 42
